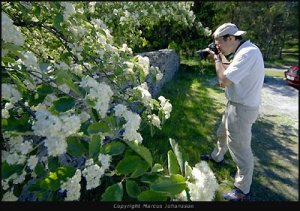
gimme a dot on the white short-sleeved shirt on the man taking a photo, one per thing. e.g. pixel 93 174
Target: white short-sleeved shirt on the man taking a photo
pixel 246 72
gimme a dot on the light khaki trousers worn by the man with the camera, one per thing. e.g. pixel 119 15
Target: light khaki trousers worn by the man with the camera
pixel 234 133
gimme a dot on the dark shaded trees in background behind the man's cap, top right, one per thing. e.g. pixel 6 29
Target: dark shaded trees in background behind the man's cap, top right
pixel 270 25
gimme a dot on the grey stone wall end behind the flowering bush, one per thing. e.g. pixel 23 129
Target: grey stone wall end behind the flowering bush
pixel 168 62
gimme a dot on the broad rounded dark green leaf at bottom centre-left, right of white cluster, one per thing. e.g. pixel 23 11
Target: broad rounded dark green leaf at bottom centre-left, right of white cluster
pixel 132 164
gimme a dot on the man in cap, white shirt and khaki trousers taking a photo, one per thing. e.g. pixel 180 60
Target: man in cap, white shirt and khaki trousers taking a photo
pixel 243 79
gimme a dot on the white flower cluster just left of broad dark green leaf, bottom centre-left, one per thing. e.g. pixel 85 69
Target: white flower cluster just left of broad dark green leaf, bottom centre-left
pixel 93 172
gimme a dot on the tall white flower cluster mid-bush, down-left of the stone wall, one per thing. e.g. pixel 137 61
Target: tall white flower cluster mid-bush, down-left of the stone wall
pixel 101 92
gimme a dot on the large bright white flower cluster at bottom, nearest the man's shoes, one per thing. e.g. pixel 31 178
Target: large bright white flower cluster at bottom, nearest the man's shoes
pixel 203 183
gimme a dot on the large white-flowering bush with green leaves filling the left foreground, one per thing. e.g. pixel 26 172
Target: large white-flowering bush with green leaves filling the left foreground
pixel 72 106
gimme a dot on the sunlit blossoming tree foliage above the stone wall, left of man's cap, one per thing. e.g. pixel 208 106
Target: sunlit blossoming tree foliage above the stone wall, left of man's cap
pixel 147 26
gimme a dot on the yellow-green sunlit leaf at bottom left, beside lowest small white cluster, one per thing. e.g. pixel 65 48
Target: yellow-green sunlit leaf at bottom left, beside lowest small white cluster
pixel 54 180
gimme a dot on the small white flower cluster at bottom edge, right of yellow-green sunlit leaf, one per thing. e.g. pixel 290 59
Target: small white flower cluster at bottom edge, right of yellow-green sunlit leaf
pixel 72 185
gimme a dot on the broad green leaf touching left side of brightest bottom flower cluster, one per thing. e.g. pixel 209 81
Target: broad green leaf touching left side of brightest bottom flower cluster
pixel 174 184
